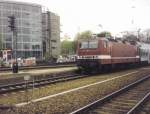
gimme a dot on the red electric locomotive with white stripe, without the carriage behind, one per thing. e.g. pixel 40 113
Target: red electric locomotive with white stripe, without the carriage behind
pixel 103 53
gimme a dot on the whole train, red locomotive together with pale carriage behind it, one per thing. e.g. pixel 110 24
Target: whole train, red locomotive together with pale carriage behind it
pixel 103 53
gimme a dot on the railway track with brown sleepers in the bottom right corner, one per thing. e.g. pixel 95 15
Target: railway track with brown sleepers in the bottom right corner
pixel 128 100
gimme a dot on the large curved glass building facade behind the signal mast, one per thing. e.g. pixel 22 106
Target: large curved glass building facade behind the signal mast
pixel 29 28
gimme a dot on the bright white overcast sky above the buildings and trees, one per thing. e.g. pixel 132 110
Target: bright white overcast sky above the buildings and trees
pixel 99 15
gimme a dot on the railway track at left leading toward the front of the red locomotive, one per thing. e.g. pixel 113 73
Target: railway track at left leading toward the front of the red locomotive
pixel 38 83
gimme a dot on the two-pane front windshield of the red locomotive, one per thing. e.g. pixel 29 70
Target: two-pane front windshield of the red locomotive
pixel 89 45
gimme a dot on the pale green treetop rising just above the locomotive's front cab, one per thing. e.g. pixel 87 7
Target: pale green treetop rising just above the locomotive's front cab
pixel 84 35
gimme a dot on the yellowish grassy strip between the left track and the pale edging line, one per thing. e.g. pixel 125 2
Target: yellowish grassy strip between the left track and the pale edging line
pixel 18 97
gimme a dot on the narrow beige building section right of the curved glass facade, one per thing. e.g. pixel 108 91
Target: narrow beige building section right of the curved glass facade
pixel 51 35
